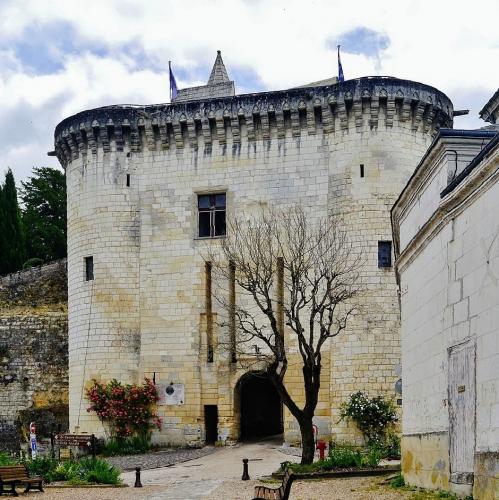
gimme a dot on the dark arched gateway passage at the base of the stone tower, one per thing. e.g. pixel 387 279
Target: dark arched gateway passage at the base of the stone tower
pixel 261 407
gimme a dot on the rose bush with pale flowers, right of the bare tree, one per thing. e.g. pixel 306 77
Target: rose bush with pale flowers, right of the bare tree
pixel 373 416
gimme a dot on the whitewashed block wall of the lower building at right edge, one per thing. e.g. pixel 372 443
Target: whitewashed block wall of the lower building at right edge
pixel 449 298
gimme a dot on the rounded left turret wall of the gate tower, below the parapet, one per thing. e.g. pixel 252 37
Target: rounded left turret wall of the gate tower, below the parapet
pixel 103 224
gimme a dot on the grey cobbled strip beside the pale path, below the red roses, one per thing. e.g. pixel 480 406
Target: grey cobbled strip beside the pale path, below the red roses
pixel 157 459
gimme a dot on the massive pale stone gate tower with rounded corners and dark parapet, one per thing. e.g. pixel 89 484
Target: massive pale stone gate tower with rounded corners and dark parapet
pixel 148 187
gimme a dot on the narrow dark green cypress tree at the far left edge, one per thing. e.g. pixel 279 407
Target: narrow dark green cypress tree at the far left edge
pixel 12 235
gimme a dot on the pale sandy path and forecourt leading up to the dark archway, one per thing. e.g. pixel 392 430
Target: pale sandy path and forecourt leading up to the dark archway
pixel 217 476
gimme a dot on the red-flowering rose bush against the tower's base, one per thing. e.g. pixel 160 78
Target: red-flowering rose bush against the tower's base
pixel 127 410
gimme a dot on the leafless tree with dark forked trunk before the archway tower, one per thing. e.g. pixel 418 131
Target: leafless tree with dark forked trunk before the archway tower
pixel 292 268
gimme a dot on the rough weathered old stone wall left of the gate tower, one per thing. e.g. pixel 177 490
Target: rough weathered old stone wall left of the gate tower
pixel 33 353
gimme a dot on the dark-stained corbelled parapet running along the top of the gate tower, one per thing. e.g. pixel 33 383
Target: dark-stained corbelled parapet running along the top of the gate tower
pixel 358 105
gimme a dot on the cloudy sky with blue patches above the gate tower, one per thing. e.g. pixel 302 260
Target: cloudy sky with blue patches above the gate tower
pixel 58 57
